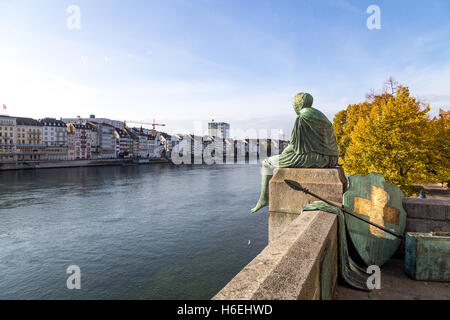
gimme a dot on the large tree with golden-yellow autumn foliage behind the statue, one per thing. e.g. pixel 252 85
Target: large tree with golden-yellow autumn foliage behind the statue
pixel 392 134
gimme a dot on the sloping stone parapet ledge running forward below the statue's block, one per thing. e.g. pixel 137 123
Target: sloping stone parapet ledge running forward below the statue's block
pixel 289 268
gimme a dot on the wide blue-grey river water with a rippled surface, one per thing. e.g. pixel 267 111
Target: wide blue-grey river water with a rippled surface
pixel 136 232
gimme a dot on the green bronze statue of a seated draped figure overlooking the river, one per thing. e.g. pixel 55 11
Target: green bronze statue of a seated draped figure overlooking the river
pixel 312 145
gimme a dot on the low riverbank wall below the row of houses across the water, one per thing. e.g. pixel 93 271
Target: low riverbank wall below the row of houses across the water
pixel 30 165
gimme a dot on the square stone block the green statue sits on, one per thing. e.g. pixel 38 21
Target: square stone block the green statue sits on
pixel 327 183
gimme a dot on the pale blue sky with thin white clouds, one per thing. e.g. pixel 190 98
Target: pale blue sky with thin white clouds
pixel 184 62
